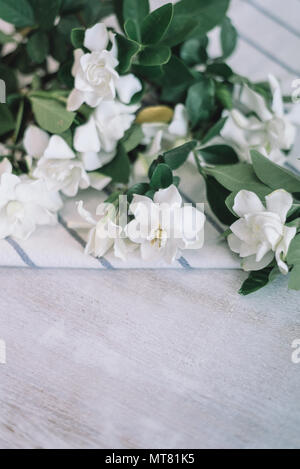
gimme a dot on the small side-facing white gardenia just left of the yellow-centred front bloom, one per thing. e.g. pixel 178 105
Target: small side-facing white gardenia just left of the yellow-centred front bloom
pixel 105 234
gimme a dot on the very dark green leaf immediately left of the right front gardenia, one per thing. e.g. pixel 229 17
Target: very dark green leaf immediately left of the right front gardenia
pixel 216 196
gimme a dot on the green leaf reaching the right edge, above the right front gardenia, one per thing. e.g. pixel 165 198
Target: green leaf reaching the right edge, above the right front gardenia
pixel 273 175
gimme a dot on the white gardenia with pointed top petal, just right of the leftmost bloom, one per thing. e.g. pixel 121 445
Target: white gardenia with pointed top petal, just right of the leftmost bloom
pixel 60 168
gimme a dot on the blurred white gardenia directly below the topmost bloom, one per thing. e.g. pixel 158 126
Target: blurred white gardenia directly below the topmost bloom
pixel 97 140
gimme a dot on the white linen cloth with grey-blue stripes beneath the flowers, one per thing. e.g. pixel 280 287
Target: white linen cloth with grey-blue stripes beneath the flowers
pixel 269 43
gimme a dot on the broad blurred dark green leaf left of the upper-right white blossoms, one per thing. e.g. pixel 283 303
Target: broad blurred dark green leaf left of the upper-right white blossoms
pixel 200 101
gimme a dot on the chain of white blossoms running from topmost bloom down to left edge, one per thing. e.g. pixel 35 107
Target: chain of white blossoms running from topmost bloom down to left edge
pixel 58 166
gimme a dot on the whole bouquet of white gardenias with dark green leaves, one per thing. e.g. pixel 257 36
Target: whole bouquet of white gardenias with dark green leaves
pixel 112 96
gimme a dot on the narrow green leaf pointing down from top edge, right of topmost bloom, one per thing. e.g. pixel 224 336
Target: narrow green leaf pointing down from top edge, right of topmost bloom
pixel 134 12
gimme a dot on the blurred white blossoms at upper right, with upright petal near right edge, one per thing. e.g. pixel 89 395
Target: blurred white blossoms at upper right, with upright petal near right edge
pixel 270 131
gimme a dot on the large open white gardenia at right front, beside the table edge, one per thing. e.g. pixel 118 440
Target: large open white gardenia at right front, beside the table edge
pixel 261 233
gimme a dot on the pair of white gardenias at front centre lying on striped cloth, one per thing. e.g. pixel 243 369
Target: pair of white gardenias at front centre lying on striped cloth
pixel 161 228
